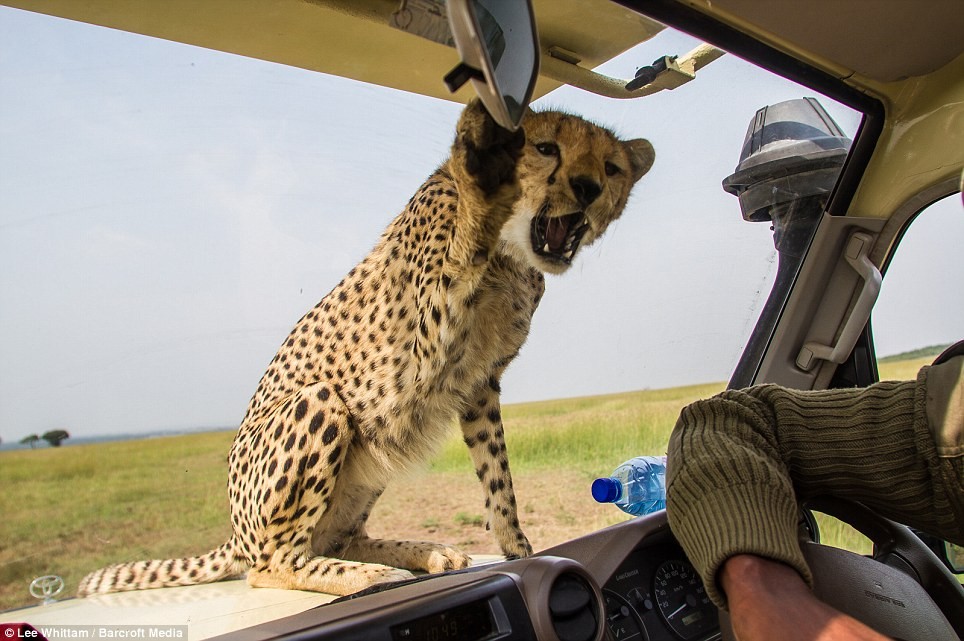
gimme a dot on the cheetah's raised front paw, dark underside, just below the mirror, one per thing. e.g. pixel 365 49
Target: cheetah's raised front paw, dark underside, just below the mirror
pixel 490 152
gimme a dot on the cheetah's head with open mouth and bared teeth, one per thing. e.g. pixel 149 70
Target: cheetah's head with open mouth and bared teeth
pixel 575 179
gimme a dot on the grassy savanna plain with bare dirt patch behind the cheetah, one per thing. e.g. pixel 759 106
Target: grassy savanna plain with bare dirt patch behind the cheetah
pixel 73 509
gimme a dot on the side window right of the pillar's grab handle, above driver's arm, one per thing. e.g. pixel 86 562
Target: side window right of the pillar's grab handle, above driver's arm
pixel 921 303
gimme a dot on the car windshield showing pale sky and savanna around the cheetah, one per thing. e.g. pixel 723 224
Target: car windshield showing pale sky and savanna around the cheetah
pixel 167 213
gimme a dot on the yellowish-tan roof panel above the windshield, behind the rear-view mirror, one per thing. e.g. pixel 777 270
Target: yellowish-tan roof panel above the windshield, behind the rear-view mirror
pixel 352 38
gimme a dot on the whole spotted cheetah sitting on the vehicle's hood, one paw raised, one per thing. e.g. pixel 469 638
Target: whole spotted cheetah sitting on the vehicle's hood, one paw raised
pixel 419 333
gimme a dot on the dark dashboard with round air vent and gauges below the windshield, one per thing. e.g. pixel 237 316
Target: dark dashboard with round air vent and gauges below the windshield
pixel 630 581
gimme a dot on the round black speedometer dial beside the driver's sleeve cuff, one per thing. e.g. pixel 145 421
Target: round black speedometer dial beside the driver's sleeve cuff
pixel 682 600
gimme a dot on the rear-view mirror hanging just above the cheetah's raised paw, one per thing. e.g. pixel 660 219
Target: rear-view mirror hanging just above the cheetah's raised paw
pixel 499 46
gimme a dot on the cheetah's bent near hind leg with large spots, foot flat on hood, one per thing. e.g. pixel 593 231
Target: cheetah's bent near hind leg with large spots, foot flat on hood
pixel 312 432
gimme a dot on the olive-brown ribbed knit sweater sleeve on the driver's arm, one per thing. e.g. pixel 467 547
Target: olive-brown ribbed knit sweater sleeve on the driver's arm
pixel 739 462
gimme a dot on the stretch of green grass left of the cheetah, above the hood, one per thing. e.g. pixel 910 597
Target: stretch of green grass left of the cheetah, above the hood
pixel 70 510
